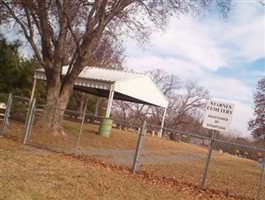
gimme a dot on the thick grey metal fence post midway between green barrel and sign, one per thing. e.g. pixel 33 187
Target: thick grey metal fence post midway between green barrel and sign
pixel 138 148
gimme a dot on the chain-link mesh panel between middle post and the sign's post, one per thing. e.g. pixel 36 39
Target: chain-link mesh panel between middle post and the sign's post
pixel 183 158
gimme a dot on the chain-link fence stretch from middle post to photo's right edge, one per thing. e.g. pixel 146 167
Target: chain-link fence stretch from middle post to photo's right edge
pixel 206 162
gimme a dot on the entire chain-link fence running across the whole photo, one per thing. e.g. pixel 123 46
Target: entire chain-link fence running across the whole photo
pixel 186 157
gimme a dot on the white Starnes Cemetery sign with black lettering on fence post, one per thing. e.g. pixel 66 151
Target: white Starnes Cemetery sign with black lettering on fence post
pixel 218 115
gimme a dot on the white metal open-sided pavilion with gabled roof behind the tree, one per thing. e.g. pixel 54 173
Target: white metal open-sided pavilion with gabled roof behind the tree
pixel 115 84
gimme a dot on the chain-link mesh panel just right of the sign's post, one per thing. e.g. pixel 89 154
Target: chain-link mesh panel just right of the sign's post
pixel 234 168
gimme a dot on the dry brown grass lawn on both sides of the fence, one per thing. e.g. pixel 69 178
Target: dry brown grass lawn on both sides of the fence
pixel 34 173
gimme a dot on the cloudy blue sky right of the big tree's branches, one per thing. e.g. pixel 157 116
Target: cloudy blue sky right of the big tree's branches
pixel 227 57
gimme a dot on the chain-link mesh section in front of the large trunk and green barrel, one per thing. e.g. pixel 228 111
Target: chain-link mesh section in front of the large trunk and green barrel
pixel 82 137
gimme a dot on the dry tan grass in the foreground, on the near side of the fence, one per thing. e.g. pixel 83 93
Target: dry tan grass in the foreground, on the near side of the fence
pixel 29 173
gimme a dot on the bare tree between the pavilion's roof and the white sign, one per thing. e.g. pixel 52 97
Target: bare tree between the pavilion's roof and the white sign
pixel 185 99
